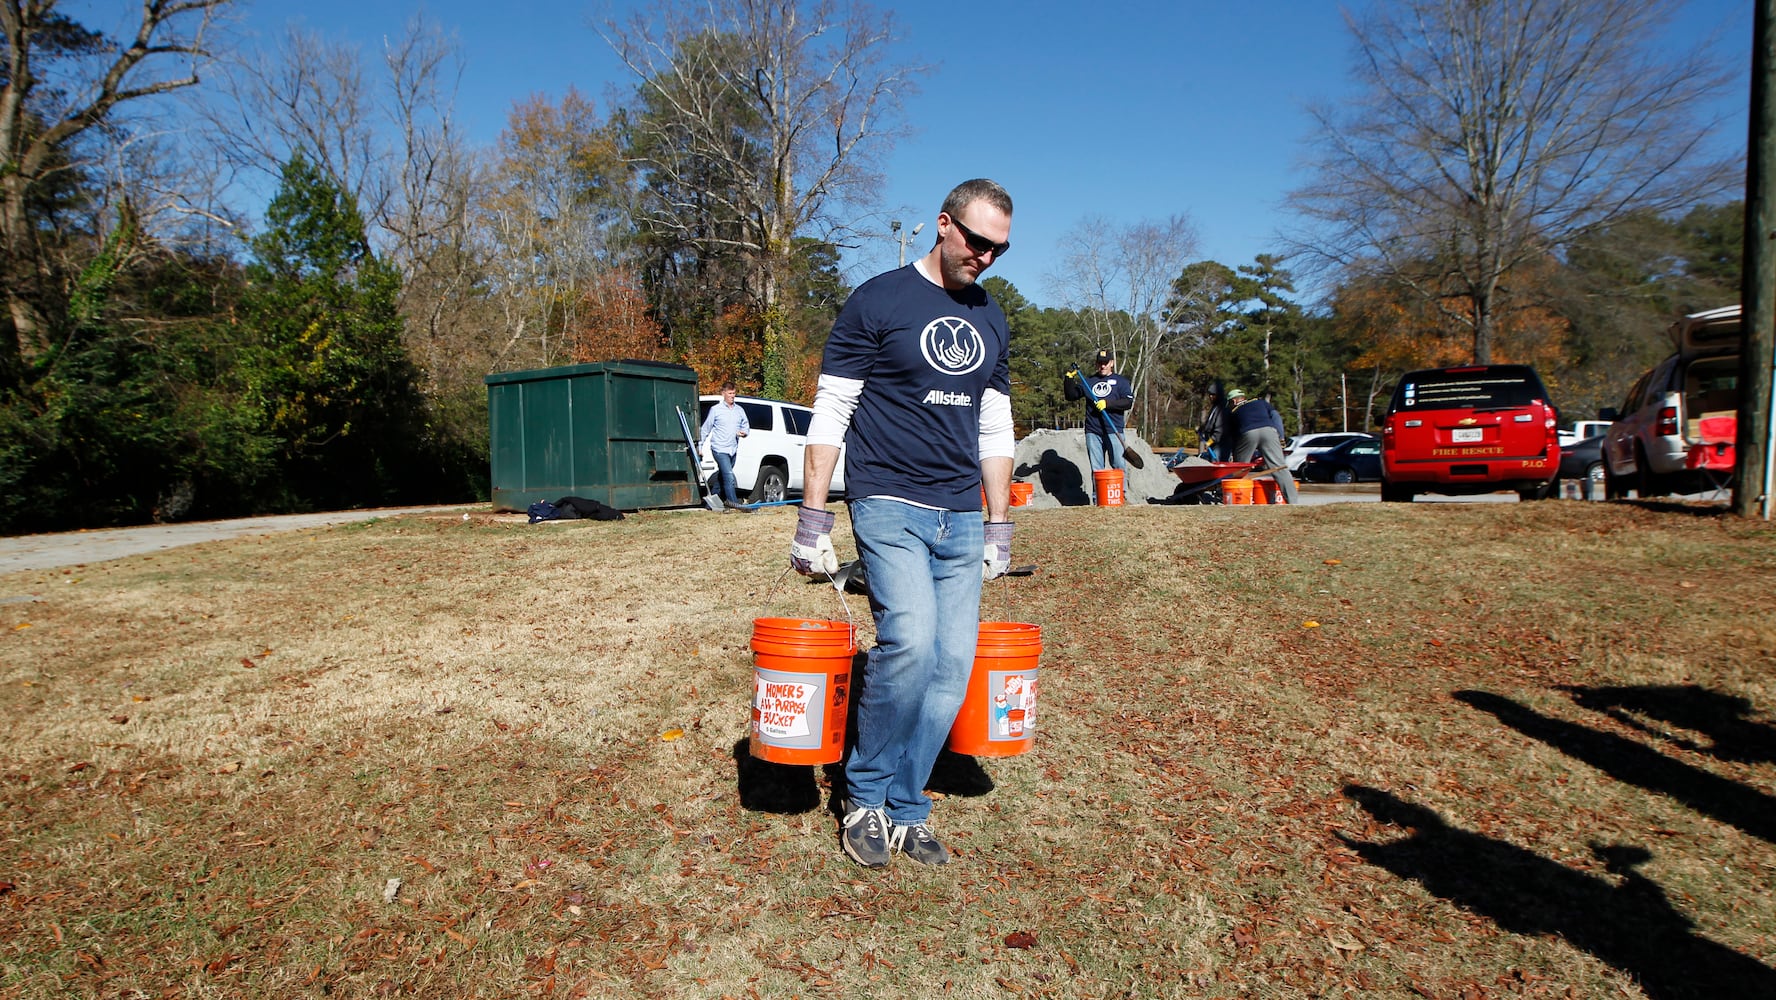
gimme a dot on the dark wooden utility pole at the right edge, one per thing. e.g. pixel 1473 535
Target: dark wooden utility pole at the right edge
pixel 1756 450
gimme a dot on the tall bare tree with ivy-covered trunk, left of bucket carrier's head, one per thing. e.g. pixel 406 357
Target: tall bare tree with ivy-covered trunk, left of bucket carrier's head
pixel 788 104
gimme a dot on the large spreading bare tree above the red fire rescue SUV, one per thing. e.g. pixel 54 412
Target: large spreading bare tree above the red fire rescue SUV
pixel 1493 132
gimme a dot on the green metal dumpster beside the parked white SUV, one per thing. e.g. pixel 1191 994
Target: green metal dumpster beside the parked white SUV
pixel 605 431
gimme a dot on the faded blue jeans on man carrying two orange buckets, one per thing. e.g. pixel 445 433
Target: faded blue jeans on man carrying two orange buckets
pixel 924 571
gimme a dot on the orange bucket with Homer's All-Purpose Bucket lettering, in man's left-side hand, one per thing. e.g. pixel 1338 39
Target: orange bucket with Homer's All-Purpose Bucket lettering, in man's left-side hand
pixel 802 688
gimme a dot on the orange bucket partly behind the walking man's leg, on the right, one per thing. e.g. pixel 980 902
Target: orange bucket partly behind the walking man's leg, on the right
pixel 999 711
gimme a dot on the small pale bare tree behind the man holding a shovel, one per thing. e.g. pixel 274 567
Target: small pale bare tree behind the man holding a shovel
pixel 1122 283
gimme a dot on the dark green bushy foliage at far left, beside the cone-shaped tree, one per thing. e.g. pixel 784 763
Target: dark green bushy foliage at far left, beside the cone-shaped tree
pixel 143 415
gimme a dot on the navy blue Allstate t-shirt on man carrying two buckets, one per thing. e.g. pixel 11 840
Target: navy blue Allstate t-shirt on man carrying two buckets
pixel 924 356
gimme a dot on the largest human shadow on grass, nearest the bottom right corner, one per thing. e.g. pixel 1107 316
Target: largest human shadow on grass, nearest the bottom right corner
pixel 1626 921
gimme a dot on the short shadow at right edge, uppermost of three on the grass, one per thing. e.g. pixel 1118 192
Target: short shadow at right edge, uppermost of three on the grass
pixel 1724 718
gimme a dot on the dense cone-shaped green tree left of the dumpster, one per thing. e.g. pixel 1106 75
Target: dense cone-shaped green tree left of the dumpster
pixel 329 369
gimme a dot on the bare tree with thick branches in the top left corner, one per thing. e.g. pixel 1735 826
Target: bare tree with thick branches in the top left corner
pixel 63 83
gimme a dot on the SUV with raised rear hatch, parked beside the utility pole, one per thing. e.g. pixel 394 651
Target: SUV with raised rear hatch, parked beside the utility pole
pixel 1649 443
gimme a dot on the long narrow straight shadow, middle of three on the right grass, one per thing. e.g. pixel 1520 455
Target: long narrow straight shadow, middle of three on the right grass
pixel 1637 765
